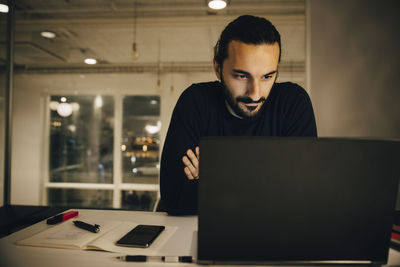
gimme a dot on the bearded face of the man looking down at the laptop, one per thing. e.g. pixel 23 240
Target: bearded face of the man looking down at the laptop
pixel 248 75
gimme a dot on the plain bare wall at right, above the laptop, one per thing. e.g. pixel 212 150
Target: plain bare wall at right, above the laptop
pixel 354 62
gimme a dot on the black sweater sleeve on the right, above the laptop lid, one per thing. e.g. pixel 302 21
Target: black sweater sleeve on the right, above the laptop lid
pixel 299 114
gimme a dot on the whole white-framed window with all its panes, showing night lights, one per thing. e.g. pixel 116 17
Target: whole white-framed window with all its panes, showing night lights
pixel 84 171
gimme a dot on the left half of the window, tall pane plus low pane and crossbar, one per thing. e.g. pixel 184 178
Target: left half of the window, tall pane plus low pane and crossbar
pixel 81 151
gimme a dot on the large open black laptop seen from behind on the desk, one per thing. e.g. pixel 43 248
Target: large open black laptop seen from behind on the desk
pixel 266 200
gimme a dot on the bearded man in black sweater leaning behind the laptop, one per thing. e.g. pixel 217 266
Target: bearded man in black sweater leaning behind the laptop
pixel 245 101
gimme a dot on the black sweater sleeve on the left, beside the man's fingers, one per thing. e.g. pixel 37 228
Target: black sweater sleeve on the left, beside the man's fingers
pixel 178 193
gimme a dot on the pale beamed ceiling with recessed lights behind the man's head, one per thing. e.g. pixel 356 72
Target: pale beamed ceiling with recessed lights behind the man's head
pixel 172 35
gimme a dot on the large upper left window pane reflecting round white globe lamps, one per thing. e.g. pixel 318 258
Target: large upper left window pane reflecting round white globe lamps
pixel 81 139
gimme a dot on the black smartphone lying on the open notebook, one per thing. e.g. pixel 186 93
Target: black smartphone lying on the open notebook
pixel 141 236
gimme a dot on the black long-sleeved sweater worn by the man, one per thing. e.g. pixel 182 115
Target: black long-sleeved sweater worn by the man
pixel 201 111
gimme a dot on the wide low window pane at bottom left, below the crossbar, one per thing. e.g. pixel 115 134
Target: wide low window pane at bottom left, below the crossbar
pixel 80 198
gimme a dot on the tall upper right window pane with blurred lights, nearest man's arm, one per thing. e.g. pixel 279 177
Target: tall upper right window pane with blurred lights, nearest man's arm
pixel 141 139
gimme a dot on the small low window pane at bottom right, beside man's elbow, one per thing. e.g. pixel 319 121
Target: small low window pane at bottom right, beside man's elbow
pixel 138 200
